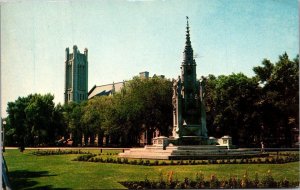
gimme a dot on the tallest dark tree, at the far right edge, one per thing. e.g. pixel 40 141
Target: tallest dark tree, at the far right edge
pixel 279 99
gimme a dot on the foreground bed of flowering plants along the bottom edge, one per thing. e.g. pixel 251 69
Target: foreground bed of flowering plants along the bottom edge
pixel 199 183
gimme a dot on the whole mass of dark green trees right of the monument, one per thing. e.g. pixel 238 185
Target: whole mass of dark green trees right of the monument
pixel 262 108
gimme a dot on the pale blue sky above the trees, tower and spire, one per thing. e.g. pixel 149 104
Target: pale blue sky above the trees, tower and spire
pixel 125 37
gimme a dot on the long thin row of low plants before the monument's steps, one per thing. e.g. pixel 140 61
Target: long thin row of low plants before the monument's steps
pixel 185 162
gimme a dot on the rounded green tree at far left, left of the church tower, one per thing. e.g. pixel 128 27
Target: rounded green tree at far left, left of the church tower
pixel 33 119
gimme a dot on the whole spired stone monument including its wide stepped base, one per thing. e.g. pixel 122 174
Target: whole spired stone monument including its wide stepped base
pixel 189 138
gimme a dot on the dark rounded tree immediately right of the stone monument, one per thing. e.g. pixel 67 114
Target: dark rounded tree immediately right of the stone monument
pixel 230 106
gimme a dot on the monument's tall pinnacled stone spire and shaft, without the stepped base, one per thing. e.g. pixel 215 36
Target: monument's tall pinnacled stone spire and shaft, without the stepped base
pixel 189 120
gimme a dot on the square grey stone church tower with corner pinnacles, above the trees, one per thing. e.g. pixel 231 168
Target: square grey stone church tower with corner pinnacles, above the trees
pixel 76 75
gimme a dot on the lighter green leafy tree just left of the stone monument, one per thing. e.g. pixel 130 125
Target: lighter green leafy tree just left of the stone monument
pixel 142 105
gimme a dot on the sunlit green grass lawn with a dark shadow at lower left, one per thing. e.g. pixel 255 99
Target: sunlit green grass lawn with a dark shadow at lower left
pixel 59 171
